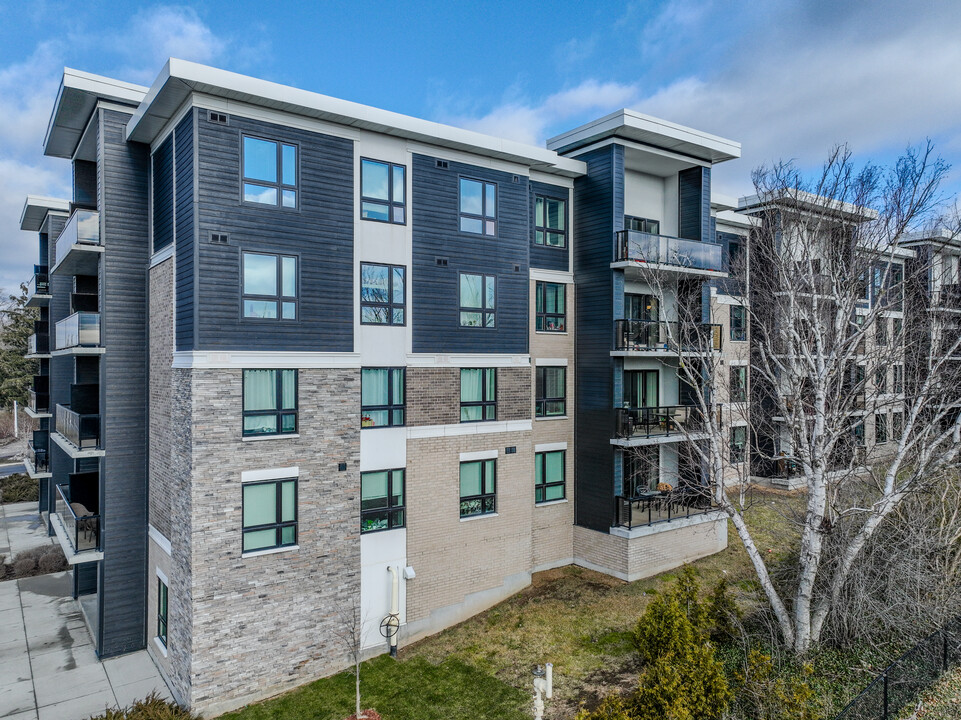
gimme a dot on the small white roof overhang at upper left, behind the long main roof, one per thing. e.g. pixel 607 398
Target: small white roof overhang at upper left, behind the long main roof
pixel 76 100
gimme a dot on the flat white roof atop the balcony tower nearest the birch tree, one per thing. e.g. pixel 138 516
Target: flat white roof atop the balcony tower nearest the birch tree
pixel 648 130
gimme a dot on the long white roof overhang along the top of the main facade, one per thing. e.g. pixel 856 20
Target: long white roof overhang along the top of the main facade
pixel 180 78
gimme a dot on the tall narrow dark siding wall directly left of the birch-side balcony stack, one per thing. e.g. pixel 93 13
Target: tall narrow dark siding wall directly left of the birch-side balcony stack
pixel 599 198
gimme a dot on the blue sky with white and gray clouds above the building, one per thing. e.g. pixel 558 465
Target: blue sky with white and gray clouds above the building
pixel 788 80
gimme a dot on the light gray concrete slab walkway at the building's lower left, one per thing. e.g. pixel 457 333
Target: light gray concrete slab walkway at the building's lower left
pixel 48 667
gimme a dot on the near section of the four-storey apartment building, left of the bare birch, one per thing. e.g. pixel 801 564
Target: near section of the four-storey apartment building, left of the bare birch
pixel 309 358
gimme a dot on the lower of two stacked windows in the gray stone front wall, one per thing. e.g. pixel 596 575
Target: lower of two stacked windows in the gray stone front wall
pixel 270 514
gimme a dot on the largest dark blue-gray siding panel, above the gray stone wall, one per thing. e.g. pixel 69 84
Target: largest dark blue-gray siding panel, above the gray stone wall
pixel 320 232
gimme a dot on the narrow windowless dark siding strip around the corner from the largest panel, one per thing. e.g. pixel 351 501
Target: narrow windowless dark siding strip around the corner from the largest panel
pixel 184 141
